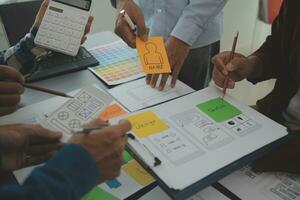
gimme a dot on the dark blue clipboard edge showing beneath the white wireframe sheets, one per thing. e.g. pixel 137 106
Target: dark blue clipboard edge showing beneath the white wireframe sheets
pixel 216 176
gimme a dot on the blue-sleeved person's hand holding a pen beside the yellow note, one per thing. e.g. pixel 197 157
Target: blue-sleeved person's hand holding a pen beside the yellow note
pixel 106 146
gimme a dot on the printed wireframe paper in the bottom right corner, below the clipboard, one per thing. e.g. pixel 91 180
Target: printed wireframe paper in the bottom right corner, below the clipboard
pixel 249 185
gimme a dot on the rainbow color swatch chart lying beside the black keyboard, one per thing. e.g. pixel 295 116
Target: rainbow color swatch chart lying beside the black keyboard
pixel 118 63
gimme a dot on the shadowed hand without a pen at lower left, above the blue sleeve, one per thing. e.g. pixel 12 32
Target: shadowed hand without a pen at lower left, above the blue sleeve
pixel 24 145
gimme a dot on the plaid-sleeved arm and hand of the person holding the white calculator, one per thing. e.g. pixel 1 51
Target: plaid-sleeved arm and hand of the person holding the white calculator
pixel 22 56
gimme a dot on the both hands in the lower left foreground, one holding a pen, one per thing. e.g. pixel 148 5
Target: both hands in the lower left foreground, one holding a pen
pixel 26 145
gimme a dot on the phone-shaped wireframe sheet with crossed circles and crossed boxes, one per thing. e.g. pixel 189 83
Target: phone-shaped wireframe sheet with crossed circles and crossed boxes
pixel 85 106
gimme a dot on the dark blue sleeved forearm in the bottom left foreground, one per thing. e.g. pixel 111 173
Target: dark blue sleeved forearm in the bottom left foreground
pixel 68 175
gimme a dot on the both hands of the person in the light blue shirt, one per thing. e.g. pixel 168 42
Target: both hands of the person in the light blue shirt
pixel 177 50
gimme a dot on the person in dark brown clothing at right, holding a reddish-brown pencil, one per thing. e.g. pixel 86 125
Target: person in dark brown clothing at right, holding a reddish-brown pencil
pixel 279 58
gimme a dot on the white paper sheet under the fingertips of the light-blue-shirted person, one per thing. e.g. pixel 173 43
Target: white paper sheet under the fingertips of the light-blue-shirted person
pixel 137 94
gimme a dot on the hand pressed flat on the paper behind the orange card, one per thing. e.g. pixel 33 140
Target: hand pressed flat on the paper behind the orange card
pixel 177 52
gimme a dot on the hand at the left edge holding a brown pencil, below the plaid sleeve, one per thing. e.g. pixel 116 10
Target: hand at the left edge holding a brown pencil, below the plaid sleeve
pixel 10 89
